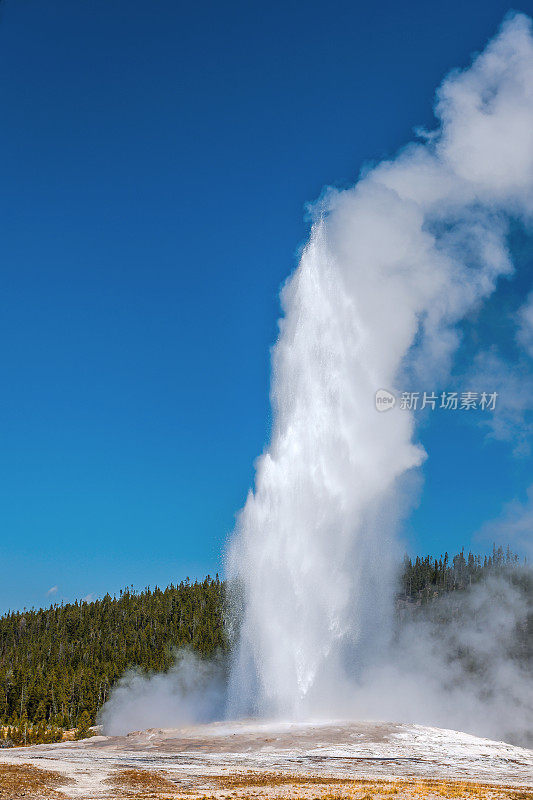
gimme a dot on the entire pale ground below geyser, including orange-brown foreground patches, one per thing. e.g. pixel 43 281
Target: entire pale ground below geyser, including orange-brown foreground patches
pixel 271 760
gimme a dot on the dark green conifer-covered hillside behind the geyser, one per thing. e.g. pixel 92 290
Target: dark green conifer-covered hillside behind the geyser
pixel 57 665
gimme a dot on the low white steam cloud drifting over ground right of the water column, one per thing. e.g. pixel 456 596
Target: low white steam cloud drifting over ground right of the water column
pixel 461 662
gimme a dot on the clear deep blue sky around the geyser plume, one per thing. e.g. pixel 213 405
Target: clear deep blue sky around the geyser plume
pixel 155 163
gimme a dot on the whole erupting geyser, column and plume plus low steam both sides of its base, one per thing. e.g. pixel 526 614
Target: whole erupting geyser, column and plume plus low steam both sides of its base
pixel 392 267
